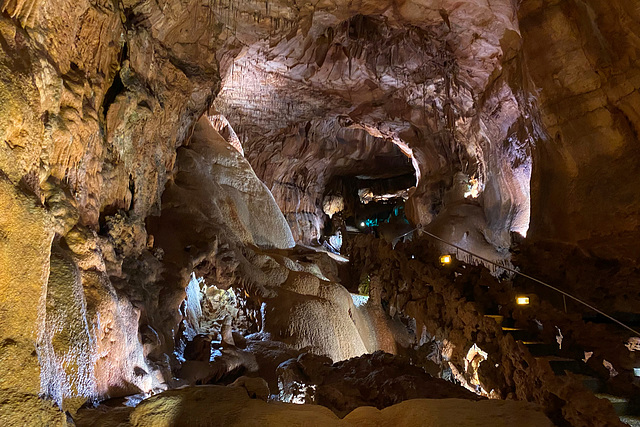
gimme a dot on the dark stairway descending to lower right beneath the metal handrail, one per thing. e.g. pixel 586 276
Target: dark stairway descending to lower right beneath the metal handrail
pixel 561 365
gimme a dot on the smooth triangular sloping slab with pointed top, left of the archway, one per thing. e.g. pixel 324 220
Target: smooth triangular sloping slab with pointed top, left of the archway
pixel 214 186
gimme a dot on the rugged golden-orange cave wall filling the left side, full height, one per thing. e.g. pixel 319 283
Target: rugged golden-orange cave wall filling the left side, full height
pixel 95 99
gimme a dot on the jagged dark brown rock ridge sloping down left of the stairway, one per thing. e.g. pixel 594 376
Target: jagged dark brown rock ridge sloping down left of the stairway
pixel 419 287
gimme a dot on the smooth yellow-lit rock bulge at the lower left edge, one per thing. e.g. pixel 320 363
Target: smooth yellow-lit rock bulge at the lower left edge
pixel 25 247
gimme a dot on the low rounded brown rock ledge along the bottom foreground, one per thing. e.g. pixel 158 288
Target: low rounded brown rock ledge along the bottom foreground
pixel 231 406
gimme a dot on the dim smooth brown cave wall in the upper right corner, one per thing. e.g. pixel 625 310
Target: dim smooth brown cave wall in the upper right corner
pixel 583 59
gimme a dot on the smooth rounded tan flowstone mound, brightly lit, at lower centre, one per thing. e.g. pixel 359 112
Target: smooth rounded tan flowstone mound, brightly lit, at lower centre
pixel 312 313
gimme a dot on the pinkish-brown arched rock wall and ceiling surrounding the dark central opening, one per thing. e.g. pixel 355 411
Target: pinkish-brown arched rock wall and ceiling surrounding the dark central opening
pixel 367 80
